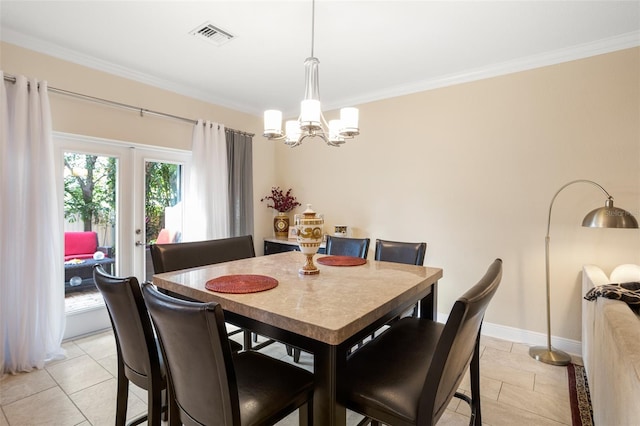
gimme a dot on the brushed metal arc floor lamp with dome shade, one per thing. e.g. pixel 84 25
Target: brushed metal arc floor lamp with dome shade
pixel 603 217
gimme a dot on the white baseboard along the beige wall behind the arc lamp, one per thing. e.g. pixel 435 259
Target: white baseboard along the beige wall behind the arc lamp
pixel 531 338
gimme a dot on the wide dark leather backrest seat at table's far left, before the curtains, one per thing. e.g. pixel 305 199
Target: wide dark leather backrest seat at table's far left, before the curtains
pixel 175 256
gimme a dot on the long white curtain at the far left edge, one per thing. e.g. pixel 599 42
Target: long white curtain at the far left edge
pixel 31 255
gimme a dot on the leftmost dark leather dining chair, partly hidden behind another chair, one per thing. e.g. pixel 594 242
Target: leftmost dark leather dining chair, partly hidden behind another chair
pixel 138 354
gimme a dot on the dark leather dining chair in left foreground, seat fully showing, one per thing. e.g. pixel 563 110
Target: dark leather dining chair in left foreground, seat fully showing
pixel 212 386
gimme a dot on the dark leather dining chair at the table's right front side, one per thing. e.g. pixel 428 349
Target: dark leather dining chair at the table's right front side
pixel 408 375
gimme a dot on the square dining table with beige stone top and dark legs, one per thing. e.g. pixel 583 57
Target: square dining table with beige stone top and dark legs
pixel 326 314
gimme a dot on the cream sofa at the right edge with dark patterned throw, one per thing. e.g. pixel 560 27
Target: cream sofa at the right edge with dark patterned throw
pixel 611 349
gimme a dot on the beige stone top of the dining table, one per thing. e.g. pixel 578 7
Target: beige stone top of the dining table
pixel 329 307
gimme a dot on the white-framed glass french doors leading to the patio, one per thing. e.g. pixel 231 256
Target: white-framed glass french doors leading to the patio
pixel 147 184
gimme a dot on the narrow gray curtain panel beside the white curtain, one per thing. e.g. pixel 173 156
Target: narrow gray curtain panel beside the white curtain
pixel 240 163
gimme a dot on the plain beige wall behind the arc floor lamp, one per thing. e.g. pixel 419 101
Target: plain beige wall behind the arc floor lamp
pixel 471 170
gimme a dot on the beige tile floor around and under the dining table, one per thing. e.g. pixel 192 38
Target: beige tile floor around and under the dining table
pixel 80 390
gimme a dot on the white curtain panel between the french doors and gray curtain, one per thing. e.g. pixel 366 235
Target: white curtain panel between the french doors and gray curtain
pixel 207 203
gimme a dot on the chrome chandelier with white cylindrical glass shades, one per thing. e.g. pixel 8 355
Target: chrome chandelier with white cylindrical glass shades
pixel 311 123
